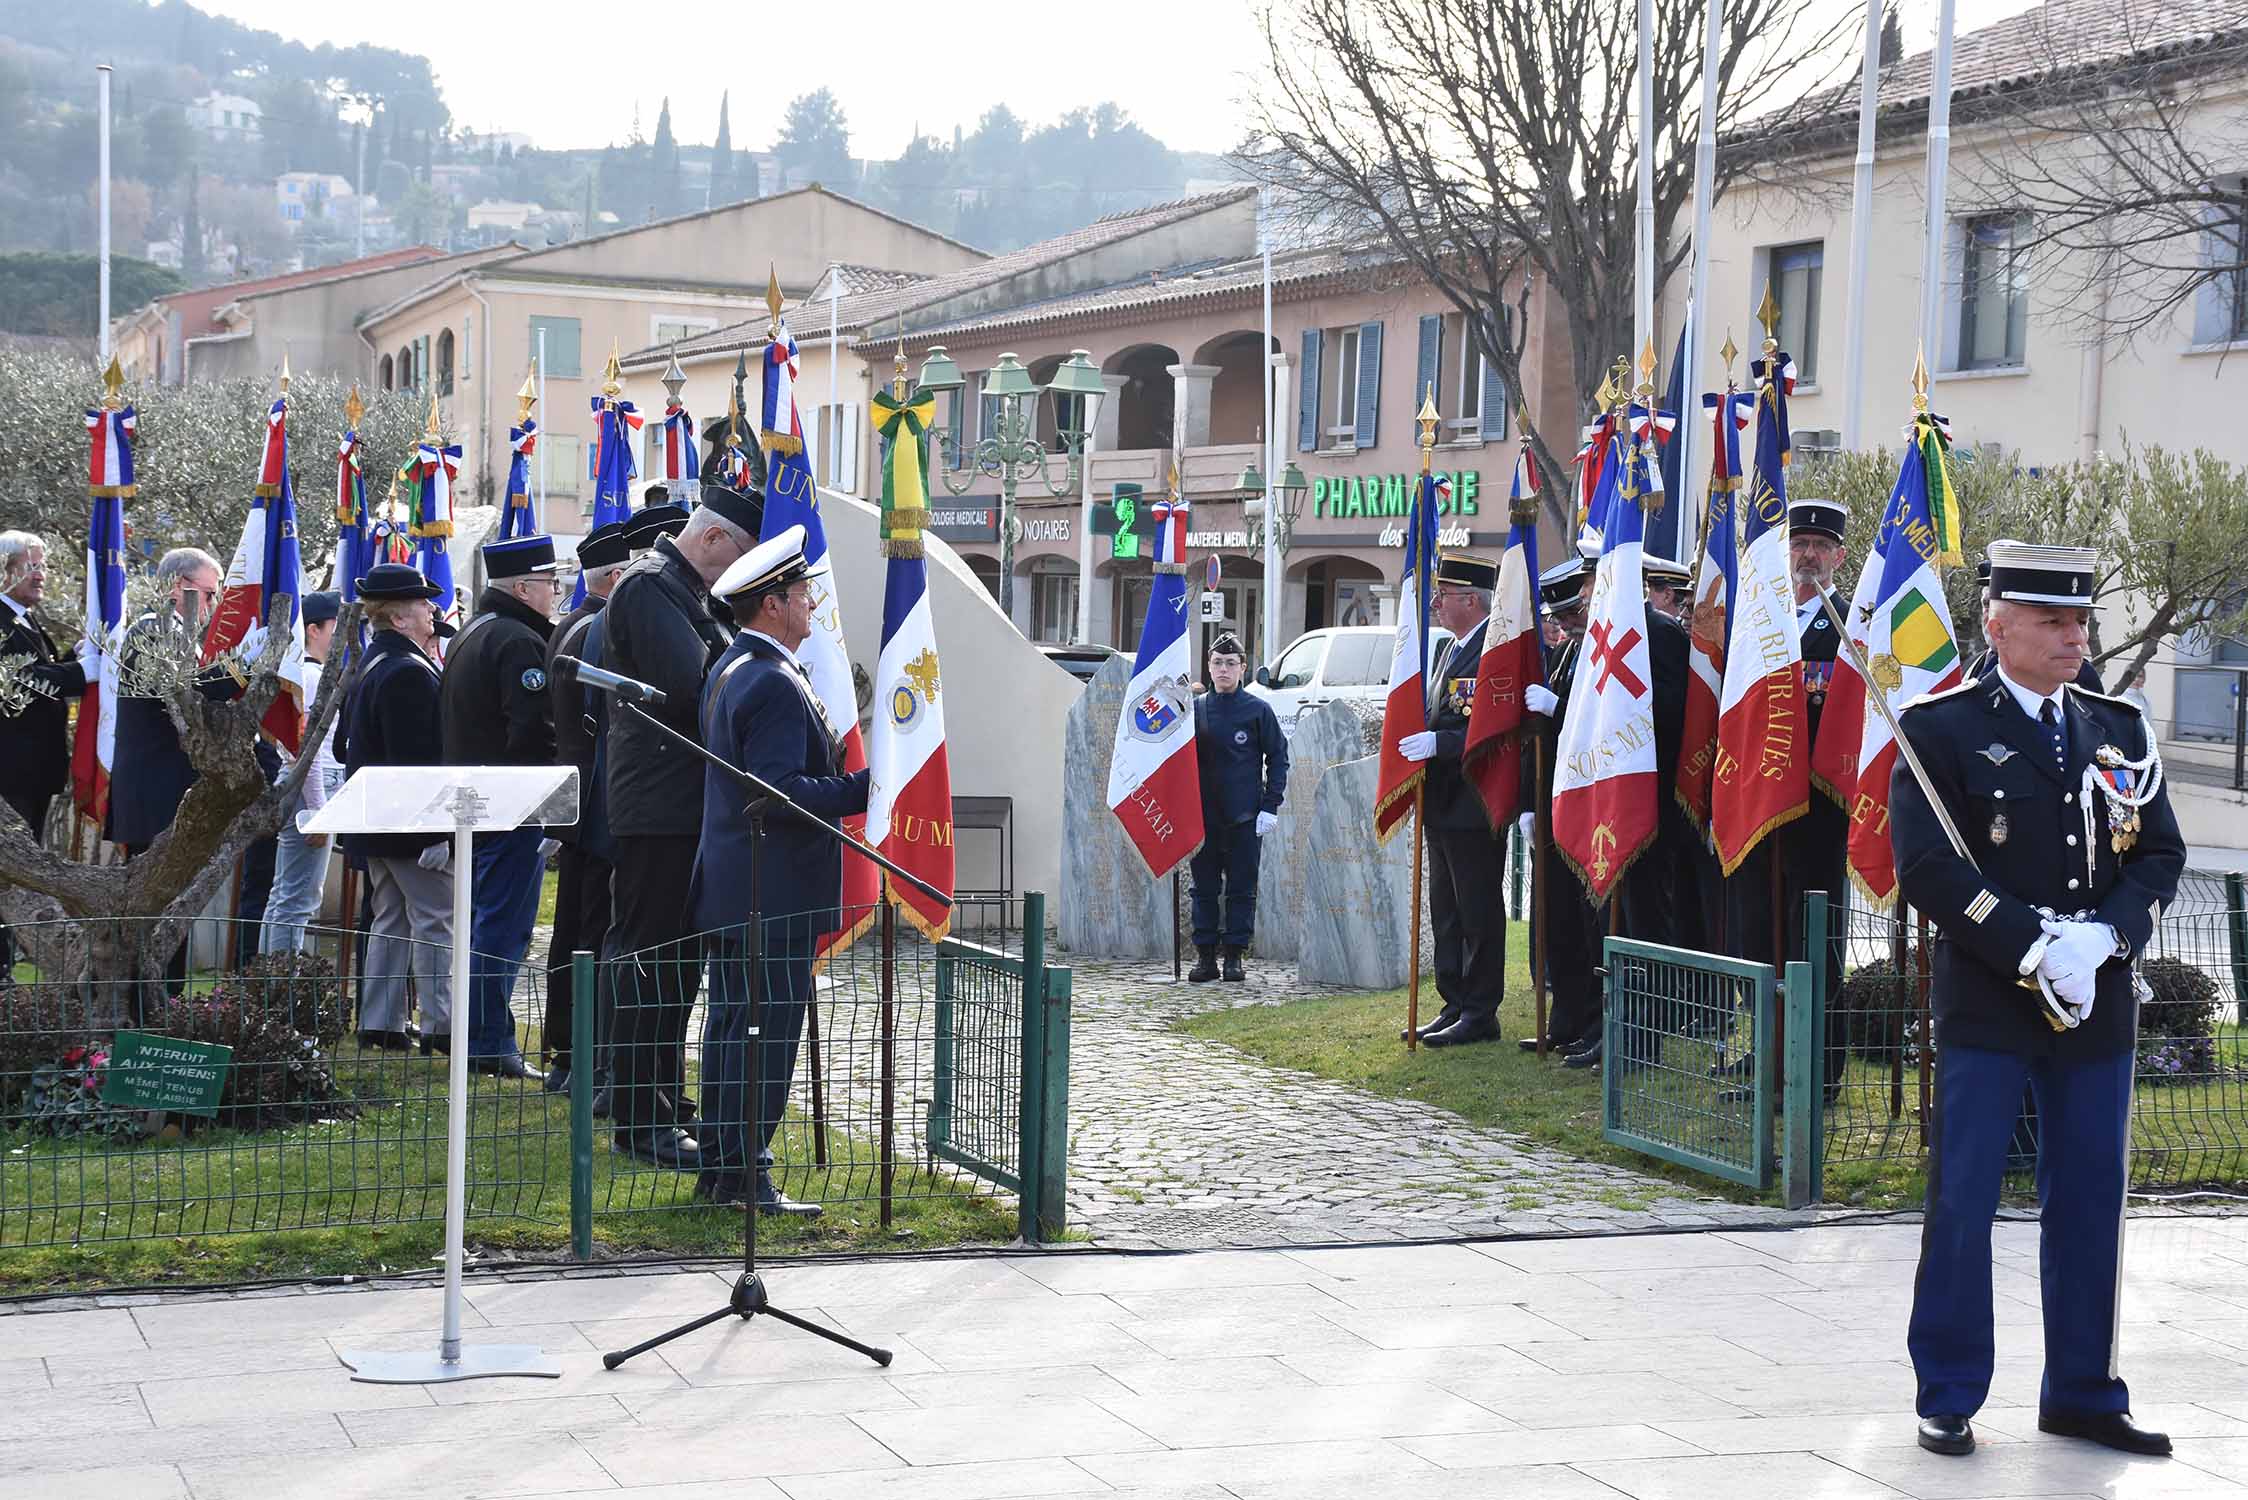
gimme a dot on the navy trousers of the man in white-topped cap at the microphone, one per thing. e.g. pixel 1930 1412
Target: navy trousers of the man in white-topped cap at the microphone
pixel 729 1135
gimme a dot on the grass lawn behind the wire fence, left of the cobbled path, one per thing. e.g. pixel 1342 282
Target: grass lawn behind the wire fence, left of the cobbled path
pixel 179 1211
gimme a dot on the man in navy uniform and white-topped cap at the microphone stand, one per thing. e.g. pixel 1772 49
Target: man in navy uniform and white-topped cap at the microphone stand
pixel 761 714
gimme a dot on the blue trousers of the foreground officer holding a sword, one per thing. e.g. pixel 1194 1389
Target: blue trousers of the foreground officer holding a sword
pixel 2085 1126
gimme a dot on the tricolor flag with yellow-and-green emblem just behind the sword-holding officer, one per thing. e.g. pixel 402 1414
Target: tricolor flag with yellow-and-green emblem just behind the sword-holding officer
pixel 1903 629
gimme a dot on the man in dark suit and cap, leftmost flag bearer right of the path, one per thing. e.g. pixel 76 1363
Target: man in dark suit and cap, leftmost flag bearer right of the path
pixel 1465 856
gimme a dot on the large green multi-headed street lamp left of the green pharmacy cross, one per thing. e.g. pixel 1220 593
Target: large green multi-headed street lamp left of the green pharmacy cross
pixel 1013 453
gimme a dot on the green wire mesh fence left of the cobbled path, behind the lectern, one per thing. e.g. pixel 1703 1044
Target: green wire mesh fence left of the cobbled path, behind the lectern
pixel 120 1121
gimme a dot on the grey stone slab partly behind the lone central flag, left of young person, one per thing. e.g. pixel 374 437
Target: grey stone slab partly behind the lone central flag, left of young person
pixel 1109 905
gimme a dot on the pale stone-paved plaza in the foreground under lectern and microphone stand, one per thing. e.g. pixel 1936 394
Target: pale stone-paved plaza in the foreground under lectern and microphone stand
pixel 1755 1366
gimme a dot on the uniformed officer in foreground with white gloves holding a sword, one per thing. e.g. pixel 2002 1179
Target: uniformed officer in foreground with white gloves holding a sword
pixel 2072 849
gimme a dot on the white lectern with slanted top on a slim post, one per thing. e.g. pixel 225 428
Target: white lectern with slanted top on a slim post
pixel 460 802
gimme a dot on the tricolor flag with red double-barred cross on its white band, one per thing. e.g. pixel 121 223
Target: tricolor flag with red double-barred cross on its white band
pixel 1604 775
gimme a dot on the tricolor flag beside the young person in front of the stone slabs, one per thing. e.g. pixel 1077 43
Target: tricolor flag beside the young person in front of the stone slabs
pixel 1154 786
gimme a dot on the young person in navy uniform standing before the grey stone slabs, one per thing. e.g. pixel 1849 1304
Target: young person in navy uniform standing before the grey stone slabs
pixel 1244 766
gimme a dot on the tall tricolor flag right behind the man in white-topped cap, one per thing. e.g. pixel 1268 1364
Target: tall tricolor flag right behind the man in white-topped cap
pixel 790 500
